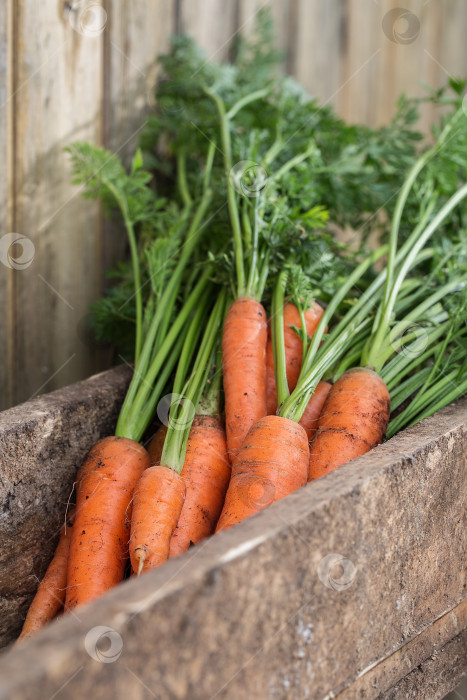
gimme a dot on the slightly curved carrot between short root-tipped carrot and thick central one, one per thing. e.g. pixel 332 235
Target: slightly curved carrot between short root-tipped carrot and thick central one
pixel 206 473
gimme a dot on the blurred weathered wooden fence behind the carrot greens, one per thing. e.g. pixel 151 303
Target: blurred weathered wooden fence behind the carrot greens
pixel 77 69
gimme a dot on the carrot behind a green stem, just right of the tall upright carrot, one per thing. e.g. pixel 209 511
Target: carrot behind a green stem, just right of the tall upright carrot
pixel 293 349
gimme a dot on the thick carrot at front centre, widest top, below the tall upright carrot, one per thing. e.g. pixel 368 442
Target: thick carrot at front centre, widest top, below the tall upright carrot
pixel 272 462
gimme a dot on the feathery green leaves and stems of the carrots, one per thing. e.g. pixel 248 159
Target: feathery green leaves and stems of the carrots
pixel 241 173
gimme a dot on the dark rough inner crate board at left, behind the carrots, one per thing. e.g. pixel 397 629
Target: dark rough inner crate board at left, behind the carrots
pixel 42 444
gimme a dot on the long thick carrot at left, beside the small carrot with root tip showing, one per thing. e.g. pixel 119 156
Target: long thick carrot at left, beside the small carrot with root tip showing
pixel 99 540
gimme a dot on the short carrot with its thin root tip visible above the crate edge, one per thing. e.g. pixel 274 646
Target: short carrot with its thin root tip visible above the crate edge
pixel 157 504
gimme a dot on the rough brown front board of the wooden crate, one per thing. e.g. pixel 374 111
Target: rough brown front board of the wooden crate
pixel 264 610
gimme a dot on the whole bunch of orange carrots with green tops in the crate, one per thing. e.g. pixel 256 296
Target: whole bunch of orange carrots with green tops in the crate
pixel 270 386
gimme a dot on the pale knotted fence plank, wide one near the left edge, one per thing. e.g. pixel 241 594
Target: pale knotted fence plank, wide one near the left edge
pixel 58 100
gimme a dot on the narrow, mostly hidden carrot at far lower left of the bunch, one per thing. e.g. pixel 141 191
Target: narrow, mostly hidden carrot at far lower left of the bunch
pixel 50 595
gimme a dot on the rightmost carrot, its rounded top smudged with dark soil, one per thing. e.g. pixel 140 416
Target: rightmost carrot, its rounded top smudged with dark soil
pixel 353 420
